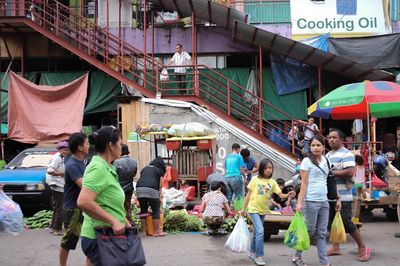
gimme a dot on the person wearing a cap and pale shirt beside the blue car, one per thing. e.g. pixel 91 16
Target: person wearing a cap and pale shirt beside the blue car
pixel 55 179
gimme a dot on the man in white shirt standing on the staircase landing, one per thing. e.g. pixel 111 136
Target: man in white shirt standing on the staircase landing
pixel 180 58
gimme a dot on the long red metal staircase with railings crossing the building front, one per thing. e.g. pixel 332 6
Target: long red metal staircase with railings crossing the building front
pixel 117 58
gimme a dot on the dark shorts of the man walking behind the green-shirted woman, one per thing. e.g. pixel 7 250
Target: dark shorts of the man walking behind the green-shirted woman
pixel 72 219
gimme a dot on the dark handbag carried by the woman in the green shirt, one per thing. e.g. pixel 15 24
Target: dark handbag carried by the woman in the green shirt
pixel 121 250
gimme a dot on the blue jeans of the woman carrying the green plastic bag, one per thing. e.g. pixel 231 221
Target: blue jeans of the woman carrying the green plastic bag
pixel 316 216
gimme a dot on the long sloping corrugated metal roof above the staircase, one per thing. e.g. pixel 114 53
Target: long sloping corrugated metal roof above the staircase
pixel 273 42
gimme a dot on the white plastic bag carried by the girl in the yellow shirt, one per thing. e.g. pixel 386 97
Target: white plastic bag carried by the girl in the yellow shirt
pixel 239 240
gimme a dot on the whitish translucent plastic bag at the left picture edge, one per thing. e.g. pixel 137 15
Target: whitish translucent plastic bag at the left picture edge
pixel 11 217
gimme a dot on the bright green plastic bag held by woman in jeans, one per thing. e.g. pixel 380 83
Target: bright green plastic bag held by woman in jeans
pixel 297 236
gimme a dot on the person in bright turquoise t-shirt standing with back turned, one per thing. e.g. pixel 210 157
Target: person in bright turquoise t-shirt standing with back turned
pixel 235 173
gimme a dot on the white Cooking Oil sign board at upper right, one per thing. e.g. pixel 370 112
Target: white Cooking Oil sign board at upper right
pixel 340 18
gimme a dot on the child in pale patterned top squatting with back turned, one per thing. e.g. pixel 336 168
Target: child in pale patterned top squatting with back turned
pixel 214 206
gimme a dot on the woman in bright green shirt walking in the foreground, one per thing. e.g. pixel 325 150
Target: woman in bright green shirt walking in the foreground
pixel 102 198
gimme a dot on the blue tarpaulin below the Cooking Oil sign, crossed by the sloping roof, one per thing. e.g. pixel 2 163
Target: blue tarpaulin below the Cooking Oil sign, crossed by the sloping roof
pixel 290 75
